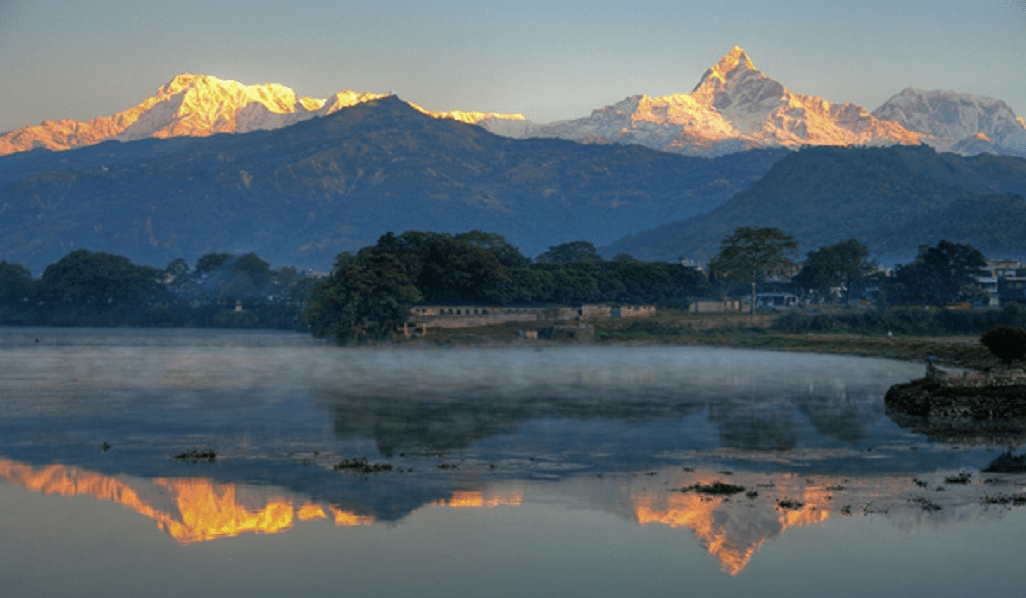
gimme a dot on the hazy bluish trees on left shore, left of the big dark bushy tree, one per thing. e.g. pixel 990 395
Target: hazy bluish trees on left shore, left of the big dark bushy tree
pixel 88 289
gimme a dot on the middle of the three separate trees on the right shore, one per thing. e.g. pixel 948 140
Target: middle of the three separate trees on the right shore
pixel 841 266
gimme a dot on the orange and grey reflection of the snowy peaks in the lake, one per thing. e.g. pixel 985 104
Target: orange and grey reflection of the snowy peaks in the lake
pixel 731 529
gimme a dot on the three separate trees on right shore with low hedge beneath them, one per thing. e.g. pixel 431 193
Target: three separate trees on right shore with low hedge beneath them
pixel 940 275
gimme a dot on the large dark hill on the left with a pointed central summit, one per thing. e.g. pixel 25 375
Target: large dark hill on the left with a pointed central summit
pixel 303 194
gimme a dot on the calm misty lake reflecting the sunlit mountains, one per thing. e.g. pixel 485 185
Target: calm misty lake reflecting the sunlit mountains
pixel 168 463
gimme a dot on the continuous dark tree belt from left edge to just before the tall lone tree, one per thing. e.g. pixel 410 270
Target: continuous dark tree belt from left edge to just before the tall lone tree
pixel 367 296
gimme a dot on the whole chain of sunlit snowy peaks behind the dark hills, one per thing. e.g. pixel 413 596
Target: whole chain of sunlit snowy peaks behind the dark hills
pixel 734 108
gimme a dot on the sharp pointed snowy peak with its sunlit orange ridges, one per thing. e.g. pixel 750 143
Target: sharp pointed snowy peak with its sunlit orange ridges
pixel 734 107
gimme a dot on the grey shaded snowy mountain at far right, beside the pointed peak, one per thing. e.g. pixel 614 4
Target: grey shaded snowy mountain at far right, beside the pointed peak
pixel 959 123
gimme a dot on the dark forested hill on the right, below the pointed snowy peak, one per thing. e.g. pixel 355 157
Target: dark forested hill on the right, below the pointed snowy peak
pixel 892 200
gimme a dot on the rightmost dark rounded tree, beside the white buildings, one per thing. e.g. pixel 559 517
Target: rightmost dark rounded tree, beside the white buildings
pixel 941 275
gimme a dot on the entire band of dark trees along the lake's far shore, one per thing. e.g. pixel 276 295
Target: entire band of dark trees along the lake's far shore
pixel 370 293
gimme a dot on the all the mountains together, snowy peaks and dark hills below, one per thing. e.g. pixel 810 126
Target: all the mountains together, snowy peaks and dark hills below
pixel 212 166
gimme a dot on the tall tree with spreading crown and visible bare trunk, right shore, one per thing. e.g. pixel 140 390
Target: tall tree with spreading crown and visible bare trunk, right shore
pixel 755 255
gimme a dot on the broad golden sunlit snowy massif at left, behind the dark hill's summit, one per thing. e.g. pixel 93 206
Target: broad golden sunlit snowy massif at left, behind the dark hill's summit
pixel 202 106
